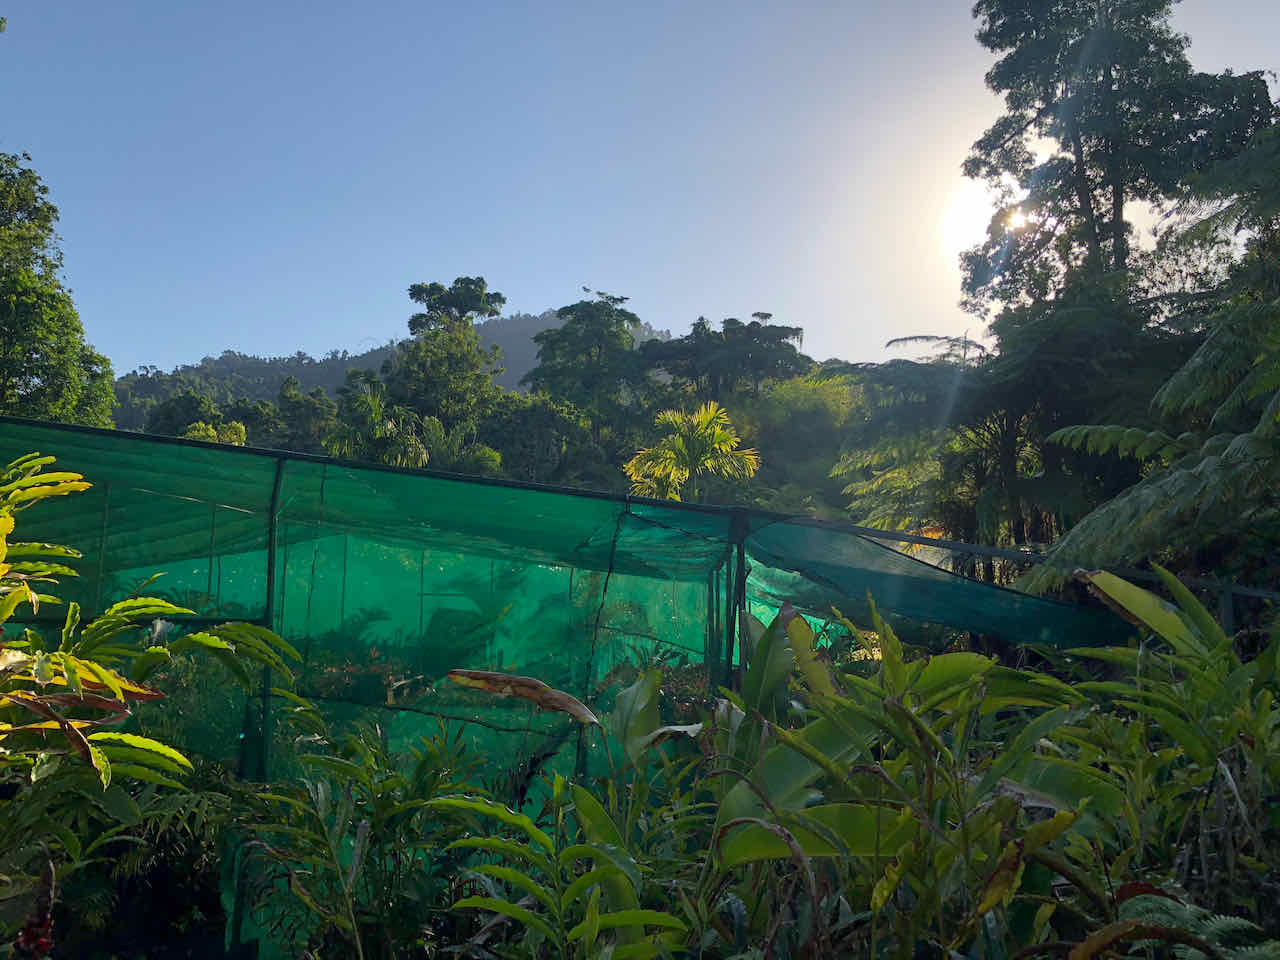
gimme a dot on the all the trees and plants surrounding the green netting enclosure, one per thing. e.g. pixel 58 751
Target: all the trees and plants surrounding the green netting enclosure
pixel 847 796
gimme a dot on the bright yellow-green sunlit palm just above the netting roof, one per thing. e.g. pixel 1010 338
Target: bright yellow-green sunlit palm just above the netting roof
pixel 697 445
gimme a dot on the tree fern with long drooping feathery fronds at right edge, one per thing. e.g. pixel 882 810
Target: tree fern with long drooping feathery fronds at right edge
pixel 1213 474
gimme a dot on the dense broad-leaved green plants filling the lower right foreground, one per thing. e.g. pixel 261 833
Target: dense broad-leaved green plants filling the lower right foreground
pixel 947 806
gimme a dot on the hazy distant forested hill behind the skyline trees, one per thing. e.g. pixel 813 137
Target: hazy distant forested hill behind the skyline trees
pixel 234 376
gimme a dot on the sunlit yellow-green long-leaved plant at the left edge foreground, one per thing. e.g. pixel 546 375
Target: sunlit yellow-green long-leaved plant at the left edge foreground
pixel 74 787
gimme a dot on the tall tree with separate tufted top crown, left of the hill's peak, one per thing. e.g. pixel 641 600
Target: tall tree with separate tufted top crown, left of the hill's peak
pixel 446 372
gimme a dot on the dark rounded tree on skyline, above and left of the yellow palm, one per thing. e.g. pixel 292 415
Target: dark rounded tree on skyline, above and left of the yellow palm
pixel 591 359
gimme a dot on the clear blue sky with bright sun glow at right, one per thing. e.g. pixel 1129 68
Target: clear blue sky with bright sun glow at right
pixel 272 176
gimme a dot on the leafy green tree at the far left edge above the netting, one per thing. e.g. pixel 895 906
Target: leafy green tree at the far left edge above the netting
pixel 48 372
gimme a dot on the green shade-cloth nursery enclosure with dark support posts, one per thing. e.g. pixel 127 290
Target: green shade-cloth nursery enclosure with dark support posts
pixel 387 579
